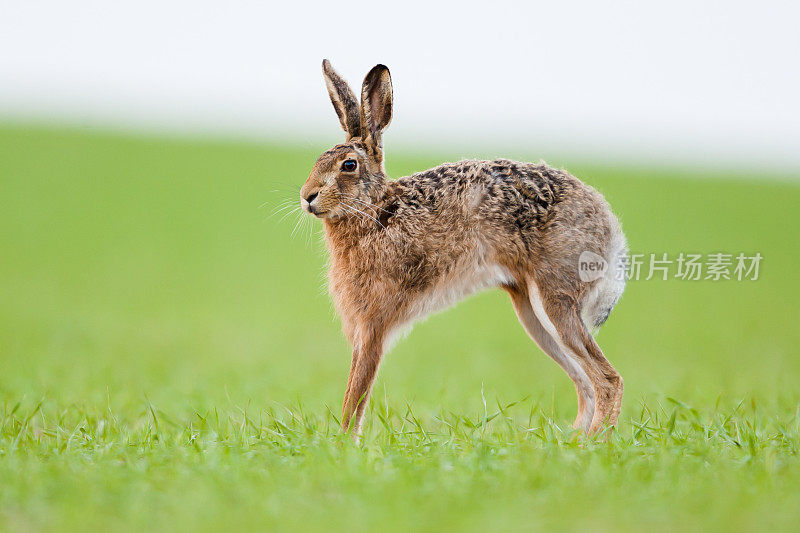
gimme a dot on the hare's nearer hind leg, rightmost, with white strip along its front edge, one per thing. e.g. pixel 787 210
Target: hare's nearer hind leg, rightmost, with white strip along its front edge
pixel 562 319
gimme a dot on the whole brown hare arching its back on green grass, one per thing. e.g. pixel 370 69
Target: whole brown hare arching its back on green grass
pixel 401 249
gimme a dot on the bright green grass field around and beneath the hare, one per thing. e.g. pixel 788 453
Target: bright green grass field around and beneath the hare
pixel 170 360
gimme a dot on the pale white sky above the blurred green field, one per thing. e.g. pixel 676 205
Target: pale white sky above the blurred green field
pixel 713 83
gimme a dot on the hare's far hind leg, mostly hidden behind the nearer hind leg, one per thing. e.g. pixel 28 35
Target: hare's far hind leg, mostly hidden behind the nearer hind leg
pixel 550 346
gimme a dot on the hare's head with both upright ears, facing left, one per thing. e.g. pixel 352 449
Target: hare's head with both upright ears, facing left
pixel 352 173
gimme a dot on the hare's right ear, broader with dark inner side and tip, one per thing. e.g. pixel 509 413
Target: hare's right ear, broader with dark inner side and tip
pixel 376 108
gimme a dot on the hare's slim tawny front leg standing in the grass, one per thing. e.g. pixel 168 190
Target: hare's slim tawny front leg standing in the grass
pixel 363 369
